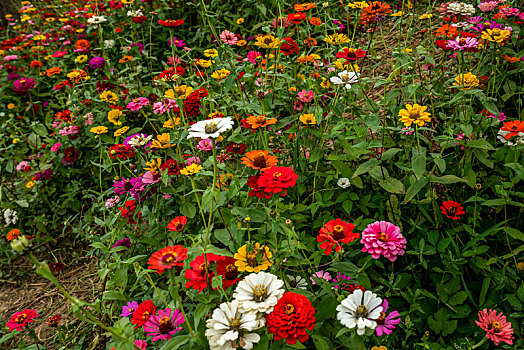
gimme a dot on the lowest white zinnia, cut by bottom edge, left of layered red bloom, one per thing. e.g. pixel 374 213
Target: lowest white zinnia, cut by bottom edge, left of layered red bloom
pixel 228 328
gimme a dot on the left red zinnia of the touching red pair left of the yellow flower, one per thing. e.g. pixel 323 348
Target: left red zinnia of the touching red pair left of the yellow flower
pixel 198 275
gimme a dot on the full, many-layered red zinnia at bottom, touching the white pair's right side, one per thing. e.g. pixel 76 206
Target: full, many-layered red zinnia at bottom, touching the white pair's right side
pixel 290 318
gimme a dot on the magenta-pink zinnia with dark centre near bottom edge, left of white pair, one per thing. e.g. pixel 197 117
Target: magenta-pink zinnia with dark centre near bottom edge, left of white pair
pixel 164 324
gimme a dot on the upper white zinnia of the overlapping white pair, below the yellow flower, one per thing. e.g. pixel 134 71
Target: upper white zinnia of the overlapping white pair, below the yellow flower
pixel 258 292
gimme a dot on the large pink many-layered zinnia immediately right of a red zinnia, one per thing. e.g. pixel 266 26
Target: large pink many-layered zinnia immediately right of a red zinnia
pixel 383 238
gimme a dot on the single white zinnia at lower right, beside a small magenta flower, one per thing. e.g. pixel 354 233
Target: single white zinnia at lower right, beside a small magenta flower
pixel 360 310
